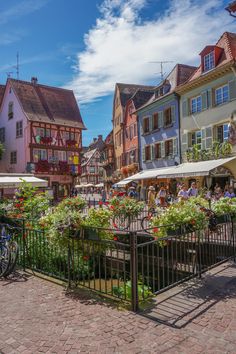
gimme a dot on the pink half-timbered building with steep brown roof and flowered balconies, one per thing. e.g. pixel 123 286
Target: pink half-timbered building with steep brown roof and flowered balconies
pixel 41 130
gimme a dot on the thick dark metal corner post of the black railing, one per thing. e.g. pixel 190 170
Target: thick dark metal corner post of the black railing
pixel 134 271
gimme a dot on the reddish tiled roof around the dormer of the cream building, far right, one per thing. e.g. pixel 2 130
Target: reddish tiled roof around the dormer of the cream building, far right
pixel 228 43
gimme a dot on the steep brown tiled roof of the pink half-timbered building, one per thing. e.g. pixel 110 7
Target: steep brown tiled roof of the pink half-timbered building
pixel 47 104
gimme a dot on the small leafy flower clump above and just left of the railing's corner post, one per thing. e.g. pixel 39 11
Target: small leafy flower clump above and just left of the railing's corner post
pixel 126 206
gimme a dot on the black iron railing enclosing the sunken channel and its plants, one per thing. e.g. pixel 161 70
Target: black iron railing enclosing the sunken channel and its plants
pixel 130 265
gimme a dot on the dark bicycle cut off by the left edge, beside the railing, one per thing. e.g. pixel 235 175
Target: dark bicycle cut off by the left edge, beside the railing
pixel 9 251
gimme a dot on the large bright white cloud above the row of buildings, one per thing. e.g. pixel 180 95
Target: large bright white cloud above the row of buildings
pixel 120 47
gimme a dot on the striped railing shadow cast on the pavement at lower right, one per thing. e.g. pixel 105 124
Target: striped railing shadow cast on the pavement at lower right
pixel 181 305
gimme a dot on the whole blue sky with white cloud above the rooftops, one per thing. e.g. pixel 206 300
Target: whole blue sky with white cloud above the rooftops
pixel 89 45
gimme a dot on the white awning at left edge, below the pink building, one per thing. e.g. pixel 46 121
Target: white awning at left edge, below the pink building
pixel 8 181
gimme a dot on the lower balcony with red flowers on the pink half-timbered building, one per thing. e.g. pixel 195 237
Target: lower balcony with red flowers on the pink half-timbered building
pixel 61 168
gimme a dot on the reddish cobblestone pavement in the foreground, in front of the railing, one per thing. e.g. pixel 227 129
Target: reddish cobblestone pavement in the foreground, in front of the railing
pixel 37 316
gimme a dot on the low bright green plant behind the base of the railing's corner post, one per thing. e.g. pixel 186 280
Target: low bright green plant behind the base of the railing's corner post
pixel 125 291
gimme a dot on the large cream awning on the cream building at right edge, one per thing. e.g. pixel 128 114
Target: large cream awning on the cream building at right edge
pixel 191 169
